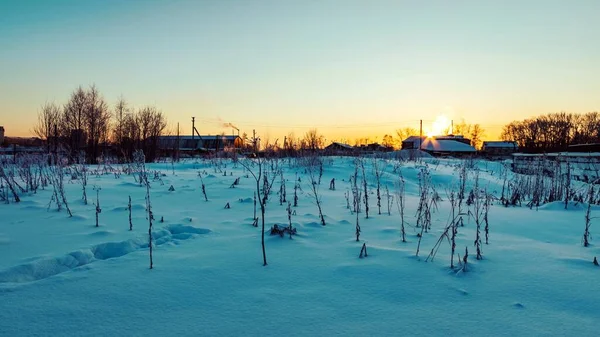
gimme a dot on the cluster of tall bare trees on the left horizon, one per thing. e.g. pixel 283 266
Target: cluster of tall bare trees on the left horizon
pixel 86 126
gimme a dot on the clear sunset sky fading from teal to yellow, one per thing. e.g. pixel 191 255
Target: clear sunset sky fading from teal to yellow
pixel 350 69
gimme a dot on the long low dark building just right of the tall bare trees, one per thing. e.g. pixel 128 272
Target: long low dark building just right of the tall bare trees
pixel 196 144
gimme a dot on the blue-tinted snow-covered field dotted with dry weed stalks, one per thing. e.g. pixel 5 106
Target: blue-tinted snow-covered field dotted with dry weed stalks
pixel 64 276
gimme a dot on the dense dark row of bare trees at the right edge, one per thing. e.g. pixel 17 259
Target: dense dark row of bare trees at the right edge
pixel 553 131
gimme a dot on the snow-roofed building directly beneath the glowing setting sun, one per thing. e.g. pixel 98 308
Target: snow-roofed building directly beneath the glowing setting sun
pixel 440 146
